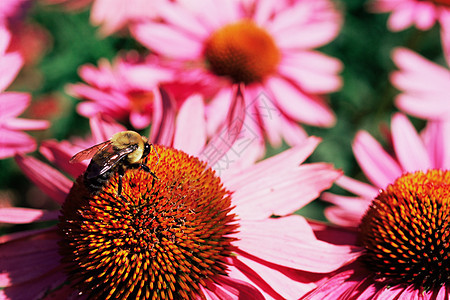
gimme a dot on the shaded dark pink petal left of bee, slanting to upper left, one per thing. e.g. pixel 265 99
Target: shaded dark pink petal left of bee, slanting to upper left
pixel 49 180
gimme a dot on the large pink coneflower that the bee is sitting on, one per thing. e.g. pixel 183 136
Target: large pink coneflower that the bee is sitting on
pixel 158 241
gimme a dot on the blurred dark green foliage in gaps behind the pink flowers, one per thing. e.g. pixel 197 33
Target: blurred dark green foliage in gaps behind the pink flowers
pixel 365 101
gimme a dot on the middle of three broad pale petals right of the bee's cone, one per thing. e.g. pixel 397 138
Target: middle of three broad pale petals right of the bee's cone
pixel 284 192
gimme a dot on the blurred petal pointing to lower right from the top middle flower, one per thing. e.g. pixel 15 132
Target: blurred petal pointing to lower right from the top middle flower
pixel 302 107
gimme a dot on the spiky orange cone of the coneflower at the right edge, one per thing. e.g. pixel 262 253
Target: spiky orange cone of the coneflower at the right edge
pixel 406 231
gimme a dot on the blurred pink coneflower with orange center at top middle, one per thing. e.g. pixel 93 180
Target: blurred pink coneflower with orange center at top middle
pixel 266 45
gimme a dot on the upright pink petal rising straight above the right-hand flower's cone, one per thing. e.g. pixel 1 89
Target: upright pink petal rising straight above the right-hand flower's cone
pixel 409 148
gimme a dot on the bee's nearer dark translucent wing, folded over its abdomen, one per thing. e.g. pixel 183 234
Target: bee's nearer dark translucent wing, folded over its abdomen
pixel 107 158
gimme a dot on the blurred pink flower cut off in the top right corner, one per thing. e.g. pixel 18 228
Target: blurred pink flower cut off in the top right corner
pixel 421 13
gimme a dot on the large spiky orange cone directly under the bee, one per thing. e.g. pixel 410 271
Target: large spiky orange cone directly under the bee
pixel 161 239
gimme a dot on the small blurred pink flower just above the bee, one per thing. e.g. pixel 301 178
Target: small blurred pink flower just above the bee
pixel 124 90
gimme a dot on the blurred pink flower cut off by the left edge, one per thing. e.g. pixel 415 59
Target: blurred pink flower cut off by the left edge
pixel 12 104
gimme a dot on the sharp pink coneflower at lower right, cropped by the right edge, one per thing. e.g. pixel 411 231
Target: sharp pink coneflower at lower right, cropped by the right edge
pixel 400 223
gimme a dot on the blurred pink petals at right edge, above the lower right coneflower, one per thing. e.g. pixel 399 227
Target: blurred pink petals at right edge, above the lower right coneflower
pixel 424 85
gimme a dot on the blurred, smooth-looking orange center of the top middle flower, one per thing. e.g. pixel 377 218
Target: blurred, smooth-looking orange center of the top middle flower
pixel 243 52
